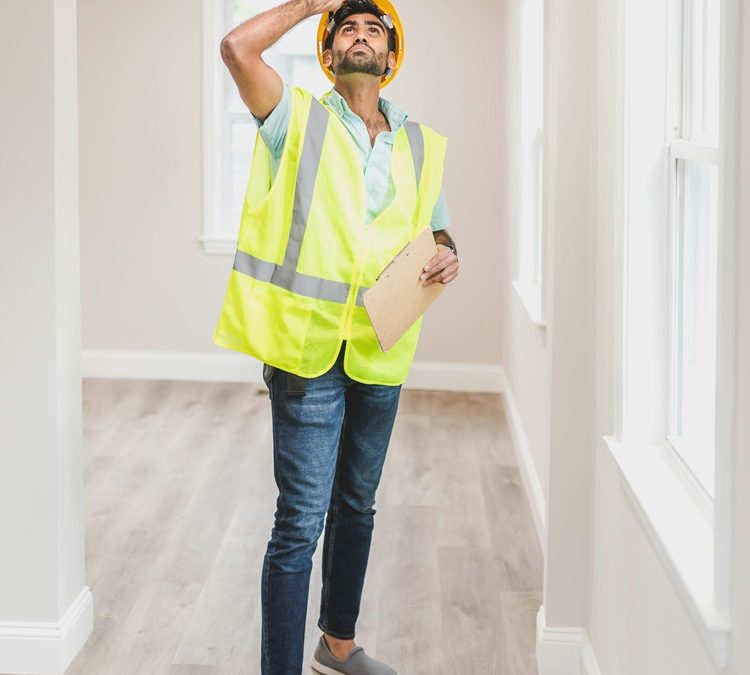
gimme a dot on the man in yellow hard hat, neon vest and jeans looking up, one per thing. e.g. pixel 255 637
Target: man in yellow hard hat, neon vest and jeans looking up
pixel 336 188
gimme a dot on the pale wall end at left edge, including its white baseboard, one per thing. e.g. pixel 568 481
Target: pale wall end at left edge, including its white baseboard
pixel 45 606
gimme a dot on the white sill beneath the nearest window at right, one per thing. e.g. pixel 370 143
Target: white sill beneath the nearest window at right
pixel 678 521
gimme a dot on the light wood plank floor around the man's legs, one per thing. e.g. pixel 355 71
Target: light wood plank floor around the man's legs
pixel 180 499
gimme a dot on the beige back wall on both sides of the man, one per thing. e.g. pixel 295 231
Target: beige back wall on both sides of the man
pixel 146 282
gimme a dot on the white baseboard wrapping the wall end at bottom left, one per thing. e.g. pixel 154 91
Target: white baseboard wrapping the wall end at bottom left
pixel 46 648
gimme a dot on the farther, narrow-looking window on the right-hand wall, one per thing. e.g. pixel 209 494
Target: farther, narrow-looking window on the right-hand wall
pixel 528 285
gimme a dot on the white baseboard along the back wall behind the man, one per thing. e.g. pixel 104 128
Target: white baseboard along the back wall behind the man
pixel 235 367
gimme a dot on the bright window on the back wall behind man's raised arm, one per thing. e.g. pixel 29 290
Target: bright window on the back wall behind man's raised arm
pixel 229 130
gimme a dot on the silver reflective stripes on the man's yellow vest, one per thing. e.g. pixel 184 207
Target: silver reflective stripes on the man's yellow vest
pixel 285 275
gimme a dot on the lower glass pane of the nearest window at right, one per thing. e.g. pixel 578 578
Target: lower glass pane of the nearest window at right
pixel 694 318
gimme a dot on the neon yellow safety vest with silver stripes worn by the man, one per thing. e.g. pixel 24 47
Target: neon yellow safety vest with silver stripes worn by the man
pixel 305 254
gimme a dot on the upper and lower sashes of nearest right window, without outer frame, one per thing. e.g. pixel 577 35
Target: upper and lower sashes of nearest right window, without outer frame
pixel 694 168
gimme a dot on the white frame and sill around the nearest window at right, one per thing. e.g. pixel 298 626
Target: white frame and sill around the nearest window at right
pixel 690 532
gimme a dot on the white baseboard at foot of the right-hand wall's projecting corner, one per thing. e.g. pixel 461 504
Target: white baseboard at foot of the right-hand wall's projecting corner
pixel 562 650
